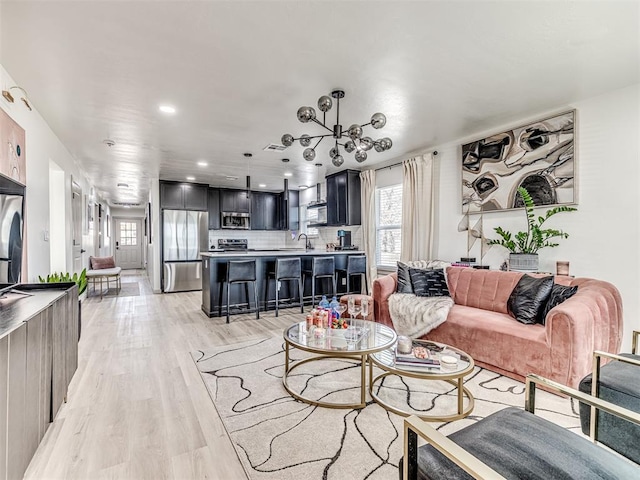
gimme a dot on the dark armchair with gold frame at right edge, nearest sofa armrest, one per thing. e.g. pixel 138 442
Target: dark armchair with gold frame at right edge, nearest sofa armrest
pixel 617 382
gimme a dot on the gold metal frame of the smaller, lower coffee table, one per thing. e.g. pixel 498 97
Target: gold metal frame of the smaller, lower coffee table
pixel 455 378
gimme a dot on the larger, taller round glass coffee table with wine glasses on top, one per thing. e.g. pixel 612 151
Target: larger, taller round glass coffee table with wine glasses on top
pixel 361 339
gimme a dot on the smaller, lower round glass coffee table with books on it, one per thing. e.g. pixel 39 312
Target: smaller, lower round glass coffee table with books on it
pixel 386 361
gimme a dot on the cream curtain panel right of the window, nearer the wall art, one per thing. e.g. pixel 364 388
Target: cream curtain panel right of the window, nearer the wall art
pixel 418 205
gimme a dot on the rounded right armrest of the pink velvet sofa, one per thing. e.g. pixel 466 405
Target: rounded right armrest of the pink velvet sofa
pixel 590 320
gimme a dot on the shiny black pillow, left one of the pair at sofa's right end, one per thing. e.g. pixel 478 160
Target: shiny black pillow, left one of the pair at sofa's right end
pixel 529 297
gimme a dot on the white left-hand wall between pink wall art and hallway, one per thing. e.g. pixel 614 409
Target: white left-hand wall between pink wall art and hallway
pixel 42 145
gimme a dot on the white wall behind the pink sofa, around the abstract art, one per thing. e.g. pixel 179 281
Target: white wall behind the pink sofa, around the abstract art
pixel 604 236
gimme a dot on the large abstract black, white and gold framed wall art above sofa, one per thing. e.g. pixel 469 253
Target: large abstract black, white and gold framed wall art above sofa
pixel 539 156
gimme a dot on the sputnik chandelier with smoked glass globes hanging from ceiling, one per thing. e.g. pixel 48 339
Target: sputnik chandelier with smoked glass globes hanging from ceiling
pixel 356 142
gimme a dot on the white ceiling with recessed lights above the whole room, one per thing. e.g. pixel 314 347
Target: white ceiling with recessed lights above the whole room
pixel 237 72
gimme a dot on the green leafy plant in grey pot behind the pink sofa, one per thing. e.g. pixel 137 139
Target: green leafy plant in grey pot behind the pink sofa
pixel 524 246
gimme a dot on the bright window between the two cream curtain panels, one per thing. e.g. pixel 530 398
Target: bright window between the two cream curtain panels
pixel 388 223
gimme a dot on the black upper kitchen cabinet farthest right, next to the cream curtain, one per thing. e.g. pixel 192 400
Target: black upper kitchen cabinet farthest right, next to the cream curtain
pixel 343 198
